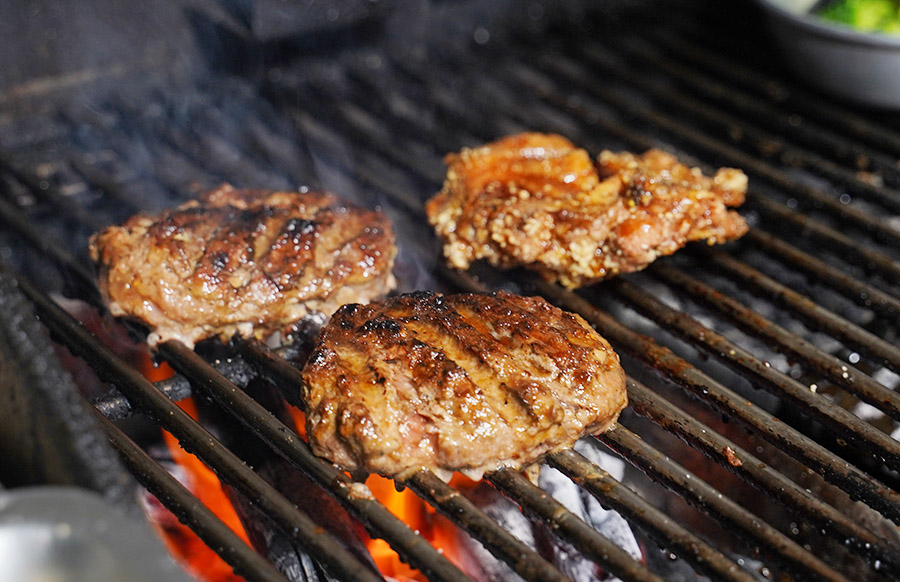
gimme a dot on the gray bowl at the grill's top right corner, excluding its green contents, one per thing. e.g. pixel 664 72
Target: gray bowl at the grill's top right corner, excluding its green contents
pixel 857 66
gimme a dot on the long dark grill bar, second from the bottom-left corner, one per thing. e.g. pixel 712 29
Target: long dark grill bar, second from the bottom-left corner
pixel 333 556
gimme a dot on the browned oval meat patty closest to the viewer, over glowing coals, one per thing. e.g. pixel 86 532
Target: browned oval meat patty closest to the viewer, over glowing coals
pixel 463 383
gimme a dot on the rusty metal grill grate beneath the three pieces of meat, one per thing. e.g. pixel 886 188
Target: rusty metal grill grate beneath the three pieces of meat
pixel 821 266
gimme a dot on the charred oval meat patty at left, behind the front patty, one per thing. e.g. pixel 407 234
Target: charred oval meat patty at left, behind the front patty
pixel 250 262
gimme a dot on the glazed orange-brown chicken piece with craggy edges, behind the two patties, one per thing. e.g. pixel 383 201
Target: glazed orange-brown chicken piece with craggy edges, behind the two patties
pixel 537 200
